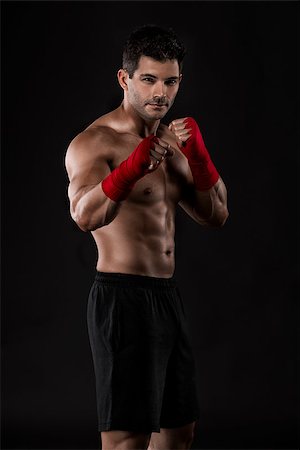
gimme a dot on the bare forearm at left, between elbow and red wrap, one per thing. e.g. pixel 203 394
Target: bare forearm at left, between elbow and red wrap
pixel 93 209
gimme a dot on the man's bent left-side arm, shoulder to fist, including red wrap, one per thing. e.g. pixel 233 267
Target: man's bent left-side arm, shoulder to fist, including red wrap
pixel 95 193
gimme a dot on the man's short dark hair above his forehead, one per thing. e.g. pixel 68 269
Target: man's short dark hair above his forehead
pixel 153 41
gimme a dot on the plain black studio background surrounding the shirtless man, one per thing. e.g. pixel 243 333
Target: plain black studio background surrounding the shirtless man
pixel 59 64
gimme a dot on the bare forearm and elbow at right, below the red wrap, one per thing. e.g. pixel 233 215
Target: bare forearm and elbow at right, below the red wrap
pixel 210 206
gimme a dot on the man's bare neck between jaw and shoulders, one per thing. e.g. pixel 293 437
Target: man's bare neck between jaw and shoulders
pixel 135 124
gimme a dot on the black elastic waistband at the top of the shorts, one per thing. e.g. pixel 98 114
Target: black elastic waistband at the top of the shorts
pixel 125 279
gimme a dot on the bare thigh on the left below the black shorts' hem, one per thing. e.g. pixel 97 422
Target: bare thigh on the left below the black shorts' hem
pixel 124 440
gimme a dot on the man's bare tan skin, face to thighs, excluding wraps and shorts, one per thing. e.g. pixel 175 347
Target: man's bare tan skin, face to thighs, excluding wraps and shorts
pixel 136 236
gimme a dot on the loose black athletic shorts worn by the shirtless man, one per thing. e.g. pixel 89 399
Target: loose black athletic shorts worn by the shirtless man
pixel 143 361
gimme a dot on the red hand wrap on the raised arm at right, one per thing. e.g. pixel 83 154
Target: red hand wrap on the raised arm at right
pixel 203 170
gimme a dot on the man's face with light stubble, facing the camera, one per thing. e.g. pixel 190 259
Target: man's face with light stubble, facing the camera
pixel 153 87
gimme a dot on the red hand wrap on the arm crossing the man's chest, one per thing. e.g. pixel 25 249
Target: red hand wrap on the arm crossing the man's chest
pixel 119 183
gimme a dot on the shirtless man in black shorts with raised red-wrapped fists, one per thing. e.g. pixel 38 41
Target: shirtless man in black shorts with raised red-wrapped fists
pixel 127 173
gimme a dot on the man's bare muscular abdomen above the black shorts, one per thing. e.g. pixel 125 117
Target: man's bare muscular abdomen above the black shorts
pixel 139 241
